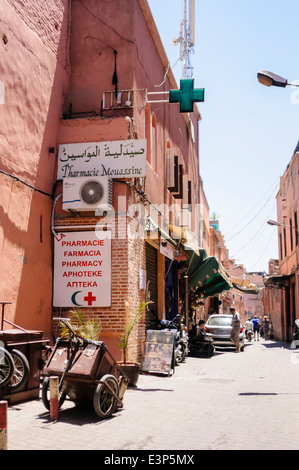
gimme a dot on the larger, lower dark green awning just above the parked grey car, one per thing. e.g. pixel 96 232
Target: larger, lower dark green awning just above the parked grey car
pixel 207 275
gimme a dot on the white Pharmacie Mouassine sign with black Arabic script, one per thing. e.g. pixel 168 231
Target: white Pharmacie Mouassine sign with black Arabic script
pixel 115 159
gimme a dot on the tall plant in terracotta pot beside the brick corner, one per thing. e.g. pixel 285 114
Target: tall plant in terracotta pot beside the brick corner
pixel 131 369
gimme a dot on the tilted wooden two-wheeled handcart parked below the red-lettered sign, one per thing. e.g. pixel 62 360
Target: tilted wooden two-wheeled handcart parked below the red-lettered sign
pixel 87 373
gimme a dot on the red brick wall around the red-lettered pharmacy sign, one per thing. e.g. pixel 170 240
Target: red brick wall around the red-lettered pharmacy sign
pixel 128 256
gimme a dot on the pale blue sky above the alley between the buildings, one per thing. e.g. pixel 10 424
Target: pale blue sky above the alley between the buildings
pixel 248 132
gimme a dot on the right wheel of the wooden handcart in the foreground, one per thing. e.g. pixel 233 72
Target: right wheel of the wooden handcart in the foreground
pixel 105 396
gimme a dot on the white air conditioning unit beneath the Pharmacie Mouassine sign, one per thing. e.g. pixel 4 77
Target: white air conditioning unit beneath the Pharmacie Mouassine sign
pixel 87 194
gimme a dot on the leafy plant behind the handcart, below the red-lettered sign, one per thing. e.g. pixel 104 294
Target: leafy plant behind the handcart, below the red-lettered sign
pixel 88 329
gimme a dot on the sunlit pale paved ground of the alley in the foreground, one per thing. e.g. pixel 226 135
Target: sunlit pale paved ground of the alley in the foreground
pixel 231 401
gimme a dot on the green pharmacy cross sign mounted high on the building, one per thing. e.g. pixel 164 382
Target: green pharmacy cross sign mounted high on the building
pixel 186 95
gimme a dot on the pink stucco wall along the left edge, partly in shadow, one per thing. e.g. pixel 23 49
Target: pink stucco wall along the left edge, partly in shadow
pixel 33 68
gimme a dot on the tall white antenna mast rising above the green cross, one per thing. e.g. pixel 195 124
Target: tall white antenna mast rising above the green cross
pixel 186 39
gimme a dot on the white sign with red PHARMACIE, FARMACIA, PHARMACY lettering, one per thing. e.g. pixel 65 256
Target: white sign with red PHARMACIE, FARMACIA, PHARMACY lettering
pixel 82 269
